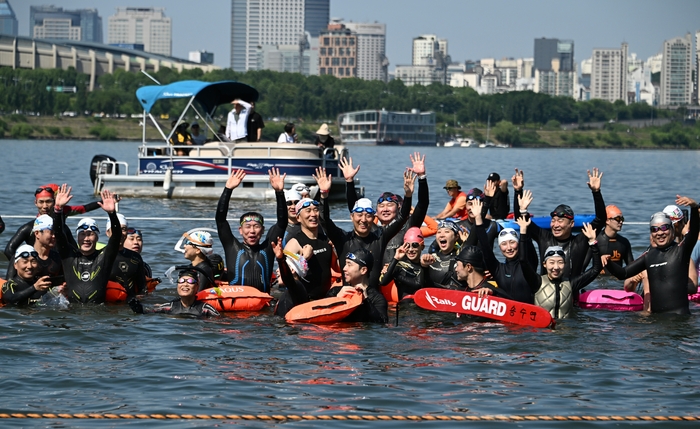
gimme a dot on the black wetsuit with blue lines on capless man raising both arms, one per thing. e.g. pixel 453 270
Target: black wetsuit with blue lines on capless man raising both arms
pixel 249 265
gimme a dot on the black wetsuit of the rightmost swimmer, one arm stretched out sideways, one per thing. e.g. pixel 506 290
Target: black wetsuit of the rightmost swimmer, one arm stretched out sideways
pixel 667 271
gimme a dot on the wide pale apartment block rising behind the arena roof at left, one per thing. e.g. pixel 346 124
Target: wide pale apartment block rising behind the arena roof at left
pixel 141 26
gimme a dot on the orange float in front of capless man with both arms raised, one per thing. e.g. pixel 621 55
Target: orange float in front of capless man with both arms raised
pixel 225 297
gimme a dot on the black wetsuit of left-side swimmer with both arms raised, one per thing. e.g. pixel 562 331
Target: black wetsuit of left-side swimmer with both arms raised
pixel 87 276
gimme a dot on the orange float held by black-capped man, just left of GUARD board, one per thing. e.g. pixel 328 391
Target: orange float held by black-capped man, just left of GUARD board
pixel 326 310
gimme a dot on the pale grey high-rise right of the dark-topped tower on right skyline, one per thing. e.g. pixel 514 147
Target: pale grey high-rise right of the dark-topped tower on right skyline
pixel 609 74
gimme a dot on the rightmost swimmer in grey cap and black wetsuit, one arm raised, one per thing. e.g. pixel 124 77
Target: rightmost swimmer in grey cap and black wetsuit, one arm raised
pixel 666 263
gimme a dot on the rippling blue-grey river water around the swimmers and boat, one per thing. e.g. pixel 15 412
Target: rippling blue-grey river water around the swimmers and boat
pixel 109 360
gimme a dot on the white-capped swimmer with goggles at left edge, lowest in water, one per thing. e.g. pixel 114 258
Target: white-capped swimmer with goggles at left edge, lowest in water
pixel 24 288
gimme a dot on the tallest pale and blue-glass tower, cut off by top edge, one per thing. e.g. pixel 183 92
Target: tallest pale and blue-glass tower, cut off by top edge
pixel 258 23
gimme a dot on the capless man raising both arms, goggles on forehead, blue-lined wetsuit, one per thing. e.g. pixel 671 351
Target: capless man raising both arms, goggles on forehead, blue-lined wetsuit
pixel 250 262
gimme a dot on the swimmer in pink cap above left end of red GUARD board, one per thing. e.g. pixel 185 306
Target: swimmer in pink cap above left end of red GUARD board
pixel 405 268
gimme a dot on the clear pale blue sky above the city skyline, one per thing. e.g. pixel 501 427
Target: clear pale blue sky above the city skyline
pixel 474 29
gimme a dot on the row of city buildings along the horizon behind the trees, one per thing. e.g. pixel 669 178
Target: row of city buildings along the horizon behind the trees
pixel 299 36
